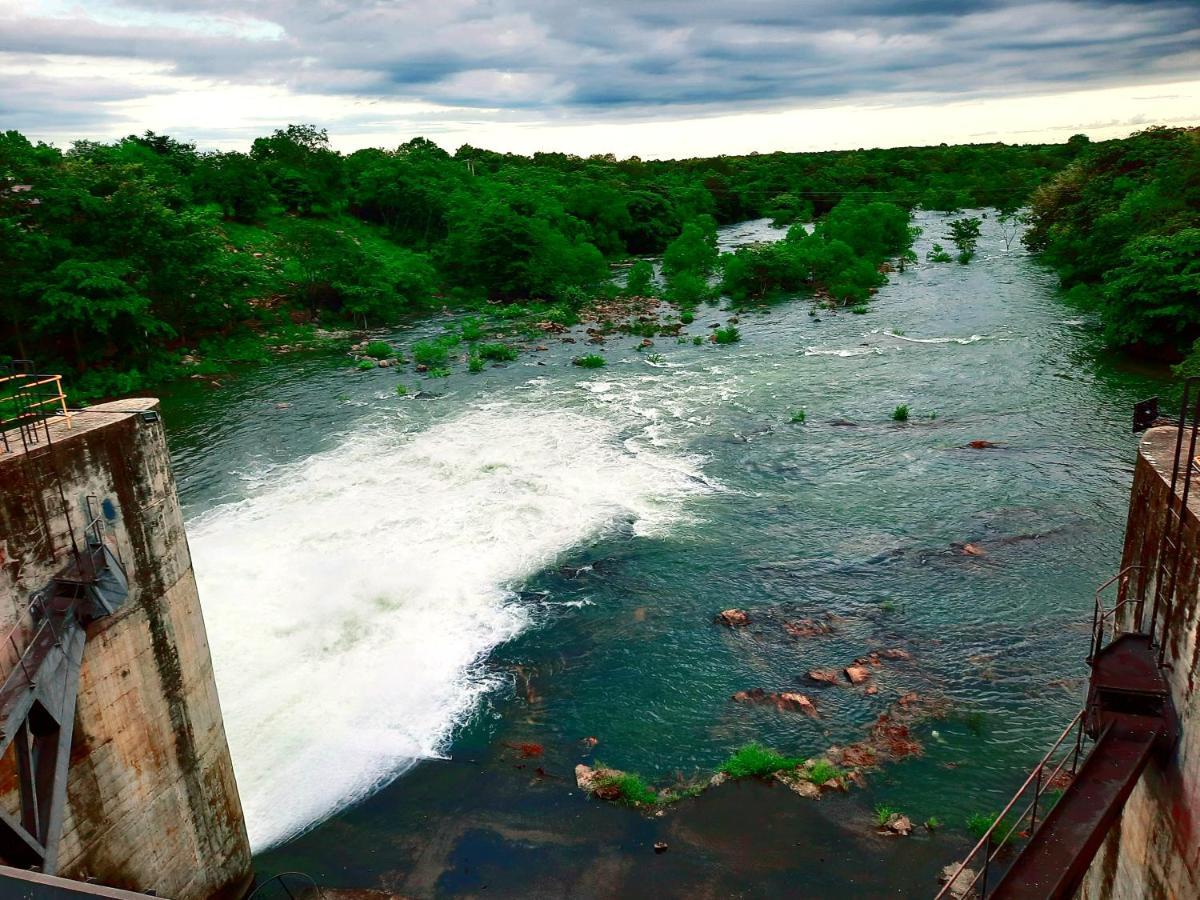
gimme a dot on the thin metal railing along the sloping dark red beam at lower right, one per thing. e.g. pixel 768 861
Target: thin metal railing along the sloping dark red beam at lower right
pixel 1049 776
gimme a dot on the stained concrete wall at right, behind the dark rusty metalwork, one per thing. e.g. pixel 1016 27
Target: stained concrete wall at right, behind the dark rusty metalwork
pixel 1154 851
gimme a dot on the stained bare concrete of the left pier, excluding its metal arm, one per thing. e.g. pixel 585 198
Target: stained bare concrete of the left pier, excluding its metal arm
pixel 152 803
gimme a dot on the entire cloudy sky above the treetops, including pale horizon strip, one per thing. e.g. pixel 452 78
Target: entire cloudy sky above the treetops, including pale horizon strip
pixel 652 79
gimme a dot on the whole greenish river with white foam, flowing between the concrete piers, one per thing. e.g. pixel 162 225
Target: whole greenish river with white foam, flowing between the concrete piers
pixel 536 555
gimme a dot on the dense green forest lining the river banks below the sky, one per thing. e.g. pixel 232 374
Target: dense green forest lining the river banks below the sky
pixel 122 261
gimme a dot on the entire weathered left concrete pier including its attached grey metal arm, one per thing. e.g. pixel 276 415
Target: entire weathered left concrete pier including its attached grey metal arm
pixel 105 653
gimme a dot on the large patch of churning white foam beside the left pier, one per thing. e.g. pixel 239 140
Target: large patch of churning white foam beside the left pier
pixel 352 599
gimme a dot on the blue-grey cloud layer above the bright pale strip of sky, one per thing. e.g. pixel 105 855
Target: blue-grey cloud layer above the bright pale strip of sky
pixel 639 58
